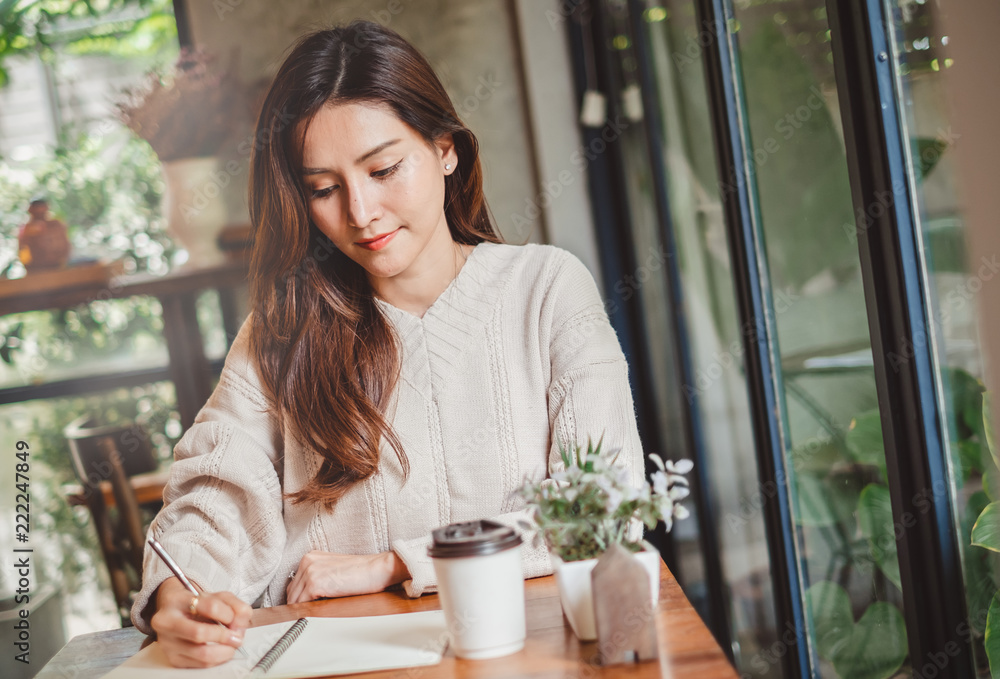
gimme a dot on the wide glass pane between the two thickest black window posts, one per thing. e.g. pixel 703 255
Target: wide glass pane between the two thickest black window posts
pixel 835 455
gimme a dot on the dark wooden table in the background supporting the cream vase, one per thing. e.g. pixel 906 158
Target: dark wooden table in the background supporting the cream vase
pixel 177 292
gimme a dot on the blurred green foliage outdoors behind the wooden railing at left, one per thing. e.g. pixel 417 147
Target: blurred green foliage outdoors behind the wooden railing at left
pixel 107 186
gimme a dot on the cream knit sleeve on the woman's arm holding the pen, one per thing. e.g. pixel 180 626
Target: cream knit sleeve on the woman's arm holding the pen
pixel 222 515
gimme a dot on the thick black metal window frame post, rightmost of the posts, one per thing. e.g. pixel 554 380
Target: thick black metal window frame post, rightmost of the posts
pixel 913 426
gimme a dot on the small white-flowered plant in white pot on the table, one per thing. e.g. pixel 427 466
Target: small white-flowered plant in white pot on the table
pixel 591 504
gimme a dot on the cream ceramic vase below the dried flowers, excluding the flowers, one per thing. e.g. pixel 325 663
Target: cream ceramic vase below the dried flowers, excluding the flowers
pixel 195 207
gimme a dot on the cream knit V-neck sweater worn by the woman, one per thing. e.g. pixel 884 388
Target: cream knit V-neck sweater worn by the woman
pixel 515 355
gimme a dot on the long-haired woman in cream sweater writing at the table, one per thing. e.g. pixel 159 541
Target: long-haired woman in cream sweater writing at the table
pixel 401 368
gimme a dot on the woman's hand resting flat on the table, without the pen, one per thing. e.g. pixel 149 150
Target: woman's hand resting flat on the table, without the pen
pixel 324 574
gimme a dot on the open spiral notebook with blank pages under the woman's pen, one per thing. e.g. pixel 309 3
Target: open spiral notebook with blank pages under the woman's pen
pixel 313 647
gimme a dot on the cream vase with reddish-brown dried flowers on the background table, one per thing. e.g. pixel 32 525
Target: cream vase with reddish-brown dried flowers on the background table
pixel 187 116
